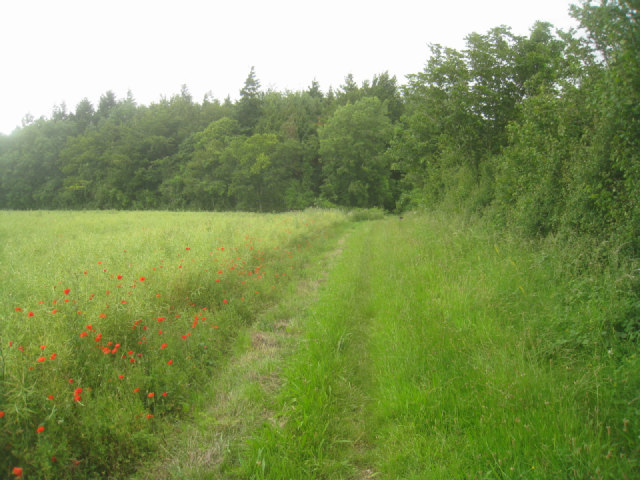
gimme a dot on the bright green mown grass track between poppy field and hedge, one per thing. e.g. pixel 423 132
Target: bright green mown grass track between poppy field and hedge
pixel 429 354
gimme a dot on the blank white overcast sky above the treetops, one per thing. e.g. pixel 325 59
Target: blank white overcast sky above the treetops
pixel 55 51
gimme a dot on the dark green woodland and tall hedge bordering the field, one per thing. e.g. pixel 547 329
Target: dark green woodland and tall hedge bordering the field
pixel 539 131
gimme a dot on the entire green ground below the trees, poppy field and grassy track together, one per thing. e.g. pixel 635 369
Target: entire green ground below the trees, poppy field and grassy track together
pixel 312 345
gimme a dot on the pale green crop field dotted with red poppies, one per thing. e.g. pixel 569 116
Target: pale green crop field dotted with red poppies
pixel 111 322
